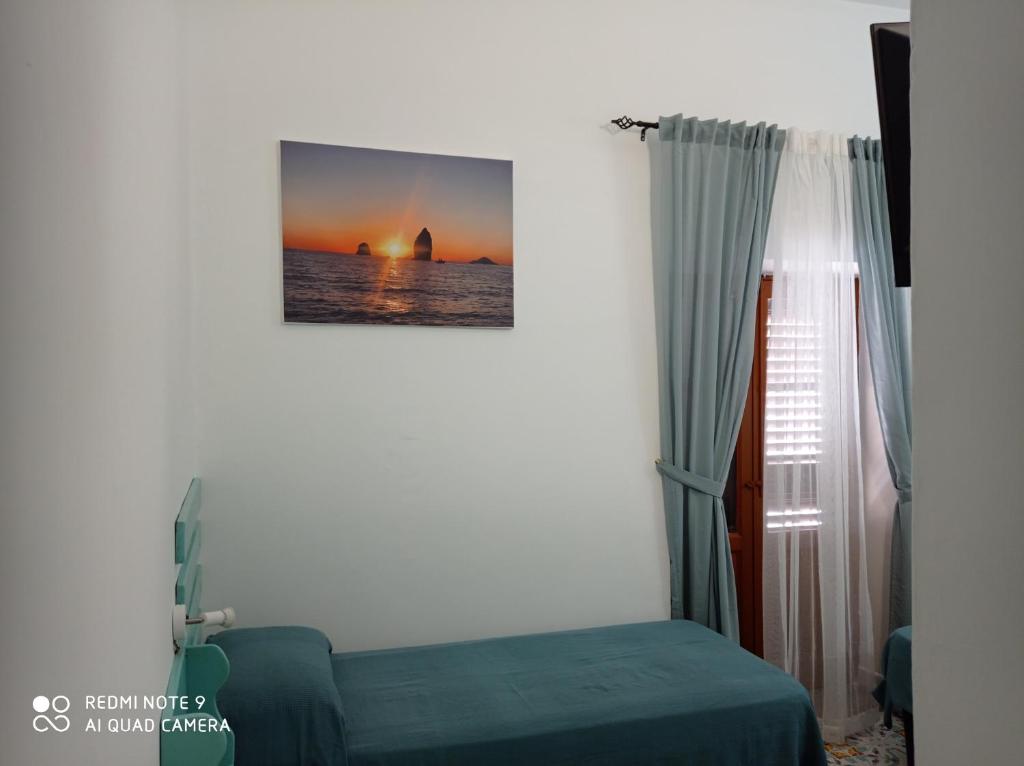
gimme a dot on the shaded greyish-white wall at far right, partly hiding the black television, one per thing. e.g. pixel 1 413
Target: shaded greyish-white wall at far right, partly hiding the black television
pixel 967 106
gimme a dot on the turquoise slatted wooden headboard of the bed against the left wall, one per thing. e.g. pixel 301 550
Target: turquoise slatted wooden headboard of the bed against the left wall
pixel 191 736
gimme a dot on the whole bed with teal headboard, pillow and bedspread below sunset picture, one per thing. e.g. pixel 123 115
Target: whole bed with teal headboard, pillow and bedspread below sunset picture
pixel 666 693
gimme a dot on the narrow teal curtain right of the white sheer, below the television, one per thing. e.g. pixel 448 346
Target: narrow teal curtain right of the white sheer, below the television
pixel 886 310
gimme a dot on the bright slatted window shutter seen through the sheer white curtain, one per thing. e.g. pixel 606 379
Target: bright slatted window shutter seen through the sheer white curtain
pixel 793 419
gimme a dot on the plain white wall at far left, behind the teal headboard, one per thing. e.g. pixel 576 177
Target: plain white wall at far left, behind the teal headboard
pixel 97 446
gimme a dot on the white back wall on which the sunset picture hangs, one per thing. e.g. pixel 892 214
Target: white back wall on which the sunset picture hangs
pixel 398 486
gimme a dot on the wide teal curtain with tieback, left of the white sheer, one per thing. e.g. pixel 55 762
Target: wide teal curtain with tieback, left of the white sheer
pixel 712 186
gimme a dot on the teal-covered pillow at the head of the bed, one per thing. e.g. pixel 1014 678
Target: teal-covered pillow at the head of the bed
pixel 280 699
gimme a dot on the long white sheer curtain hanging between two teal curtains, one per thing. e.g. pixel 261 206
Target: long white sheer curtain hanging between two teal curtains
pixel 818 617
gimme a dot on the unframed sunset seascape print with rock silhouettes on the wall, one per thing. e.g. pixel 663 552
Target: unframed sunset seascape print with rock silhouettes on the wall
pixel 396 238
